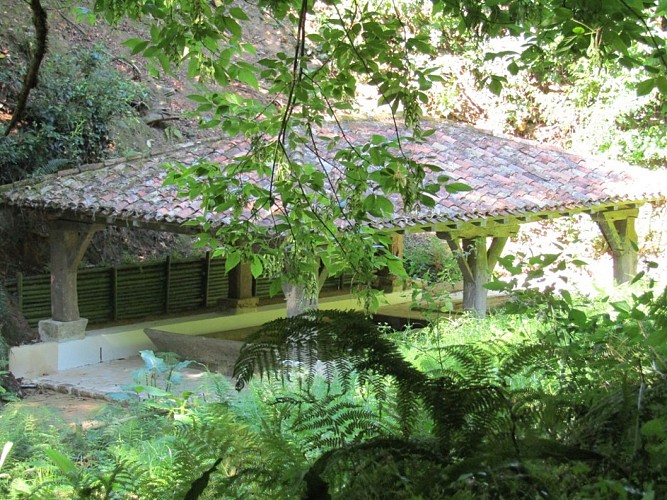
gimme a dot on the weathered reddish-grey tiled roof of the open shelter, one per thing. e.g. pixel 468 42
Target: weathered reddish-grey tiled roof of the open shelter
pixel 509 178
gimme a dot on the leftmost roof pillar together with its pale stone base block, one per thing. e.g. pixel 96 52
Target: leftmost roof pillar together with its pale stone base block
pixel 68 242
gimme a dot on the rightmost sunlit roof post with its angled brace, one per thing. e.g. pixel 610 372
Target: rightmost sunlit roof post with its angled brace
pixel 618 229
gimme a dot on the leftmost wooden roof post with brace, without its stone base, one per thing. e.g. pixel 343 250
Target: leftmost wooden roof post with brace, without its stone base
pixel 69 242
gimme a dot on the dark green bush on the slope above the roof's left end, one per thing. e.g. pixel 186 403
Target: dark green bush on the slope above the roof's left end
pixel 69 115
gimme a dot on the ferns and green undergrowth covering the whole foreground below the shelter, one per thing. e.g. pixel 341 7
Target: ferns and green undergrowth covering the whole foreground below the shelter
pixel 559 397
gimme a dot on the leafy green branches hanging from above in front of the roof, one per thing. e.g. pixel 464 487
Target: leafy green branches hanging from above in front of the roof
pixel 319 215
